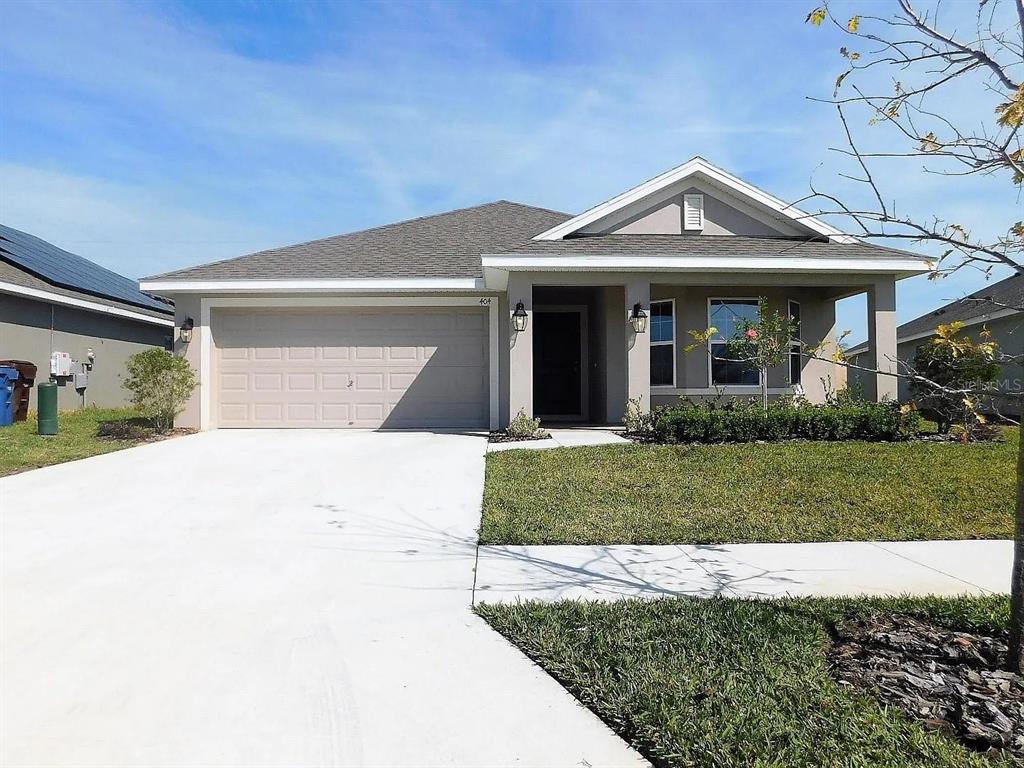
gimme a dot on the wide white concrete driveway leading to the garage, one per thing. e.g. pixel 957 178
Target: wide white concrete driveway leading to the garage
pixel 274 599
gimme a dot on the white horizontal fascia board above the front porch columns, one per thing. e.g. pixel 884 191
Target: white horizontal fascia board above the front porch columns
pixel 675 264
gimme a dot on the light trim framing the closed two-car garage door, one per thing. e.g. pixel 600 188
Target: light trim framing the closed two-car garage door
pixel 206 336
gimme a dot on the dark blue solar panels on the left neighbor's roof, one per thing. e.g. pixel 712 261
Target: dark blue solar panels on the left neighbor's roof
pixel 70 271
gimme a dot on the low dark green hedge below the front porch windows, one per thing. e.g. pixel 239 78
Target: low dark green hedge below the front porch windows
pixel 746 421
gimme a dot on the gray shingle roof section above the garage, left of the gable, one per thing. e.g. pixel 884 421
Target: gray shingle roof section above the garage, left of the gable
pixel 447 245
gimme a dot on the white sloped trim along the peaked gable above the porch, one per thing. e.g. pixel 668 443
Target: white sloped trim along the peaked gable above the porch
pixel 695 166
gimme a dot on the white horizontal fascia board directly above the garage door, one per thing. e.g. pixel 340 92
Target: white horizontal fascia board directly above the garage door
pixel 313 286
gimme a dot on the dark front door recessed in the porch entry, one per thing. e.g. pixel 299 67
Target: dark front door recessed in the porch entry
pixel 558 365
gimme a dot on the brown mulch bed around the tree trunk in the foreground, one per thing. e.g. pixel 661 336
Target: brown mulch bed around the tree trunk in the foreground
pixel 952 681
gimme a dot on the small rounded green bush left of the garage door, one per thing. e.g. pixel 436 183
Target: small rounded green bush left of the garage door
pixel 160 385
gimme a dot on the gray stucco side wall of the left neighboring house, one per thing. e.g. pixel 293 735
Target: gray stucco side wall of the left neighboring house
pixel 32 330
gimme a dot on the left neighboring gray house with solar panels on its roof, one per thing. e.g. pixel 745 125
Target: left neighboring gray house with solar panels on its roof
pixel 53 302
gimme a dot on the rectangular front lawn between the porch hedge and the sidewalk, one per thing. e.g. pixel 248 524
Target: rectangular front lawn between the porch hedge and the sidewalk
pixel 786 492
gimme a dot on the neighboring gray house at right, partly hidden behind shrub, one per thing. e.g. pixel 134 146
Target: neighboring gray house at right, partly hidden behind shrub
pixel 993 308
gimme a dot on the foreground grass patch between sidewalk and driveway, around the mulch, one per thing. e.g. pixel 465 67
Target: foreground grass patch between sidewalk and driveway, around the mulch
pixel 735 684
